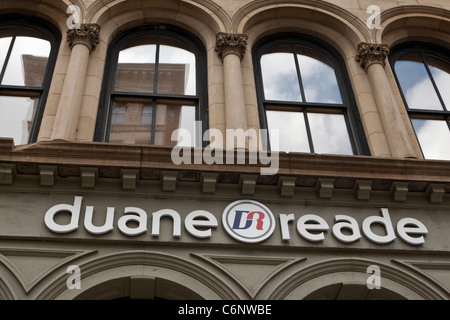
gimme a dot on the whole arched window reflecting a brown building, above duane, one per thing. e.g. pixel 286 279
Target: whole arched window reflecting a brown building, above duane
pixel 155 83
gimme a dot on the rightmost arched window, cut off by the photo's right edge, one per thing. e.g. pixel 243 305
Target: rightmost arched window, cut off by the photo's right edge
pixel 423 76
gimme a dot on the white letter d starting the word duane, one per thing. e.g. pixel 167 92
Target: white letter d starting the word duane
pixel 74 216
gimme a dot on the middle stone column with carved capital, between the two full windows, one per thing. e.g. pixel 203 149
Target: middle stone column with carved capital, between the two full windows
pixel 231 49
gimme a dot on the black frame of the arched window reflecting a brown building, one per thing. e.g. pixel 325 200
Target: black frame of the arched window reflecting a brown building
pixel 103 124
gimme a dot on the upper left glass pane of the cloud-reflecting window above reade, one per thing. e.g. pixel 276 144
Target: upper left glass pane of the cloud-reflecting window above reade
pixel 279 73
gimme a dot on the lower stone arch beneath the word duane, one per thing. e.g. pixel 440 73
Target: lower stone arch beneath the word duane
pixel 117 269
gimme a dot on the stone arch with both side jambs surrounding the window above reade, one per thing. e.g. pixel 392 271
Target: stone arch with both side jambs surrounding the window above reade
pixel 329 23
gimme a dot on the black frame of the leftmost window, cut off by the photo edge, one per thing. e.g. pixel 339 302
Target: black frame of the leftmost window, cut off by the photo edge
pixel 52 35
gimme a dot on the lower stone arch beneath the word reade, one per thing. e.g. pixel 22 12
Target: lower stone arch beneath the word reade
pixel 353 271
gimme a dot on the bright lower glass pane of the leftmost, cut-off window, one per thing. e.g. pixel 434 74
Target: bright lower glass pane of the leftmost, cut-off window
pixel 17 116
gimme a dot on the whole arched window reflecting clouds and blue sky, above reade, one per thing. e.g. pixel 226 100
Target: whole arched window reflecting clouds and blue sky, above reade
pixel 304 94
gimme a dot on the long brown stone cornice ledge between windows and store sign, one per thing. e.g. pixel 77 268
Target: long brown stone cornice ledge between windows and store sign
pixel 150 161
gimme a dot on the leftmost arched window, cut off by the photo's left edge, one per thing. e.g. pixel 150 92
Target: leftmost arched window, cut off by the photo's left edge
pixel 28 50
